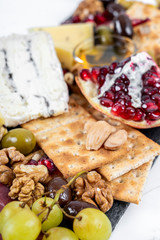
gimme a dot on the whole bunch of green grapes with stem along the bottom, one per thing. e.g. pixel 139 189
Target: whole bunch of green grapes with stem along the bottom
pixel 18 221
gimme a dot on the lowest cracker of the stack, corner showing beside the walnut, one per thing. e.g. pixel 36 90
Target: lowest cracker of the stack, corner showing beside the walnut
pixel 129 186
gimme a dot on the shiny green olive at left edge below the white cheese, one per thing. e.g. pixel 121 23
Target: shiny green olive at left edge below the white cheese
pixel 22 139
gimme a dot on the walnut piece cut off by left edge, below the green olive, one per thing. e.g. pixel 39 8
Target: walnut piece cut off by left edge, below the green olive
pixel 6 175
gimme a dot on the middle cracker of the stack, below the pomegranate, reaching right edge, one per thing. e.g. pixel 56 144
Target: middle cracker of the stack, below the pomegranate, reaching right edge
pixel 136 151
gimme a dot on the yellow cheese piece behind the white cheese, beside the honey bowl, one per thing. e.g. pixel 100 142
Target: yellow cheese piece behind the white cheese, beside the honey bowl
pixel 66 37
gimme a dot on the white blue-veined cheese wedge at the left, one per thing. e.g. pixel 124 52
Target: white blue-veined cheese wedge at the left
pixel 31 79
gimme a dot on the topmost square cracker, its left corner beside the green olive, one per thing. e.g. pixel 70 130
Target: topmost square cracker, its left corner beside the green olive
pixel 63 139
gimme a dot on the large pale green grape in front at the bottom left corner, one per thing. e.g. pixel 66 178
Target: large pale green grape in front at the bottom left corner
pixel 23 225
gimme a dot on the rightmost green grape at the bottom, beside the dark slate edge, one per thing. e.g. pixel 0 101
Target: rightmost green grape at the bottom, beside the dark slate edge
pixel 92 224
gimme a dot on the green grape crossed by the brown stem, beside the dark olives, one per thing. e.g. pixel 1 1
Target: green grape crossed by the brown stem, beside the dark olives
pixel 55 216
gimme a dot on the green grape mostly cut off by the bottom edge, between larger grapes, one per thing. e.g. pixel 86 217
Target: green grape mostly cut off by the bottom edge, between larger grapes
pixel 60 233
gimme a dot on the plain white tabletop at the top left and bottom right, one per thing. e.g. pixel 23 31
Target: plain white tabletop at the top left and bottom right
pixel 140 222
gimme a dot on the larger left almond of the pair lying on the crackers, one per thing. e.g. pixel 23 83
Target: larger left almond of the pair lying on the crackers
pixel 97 134
